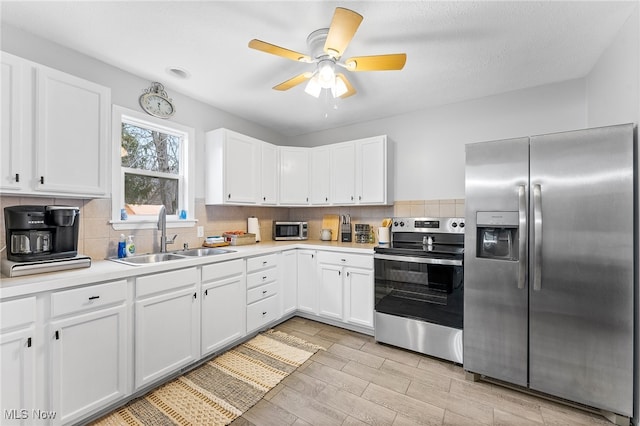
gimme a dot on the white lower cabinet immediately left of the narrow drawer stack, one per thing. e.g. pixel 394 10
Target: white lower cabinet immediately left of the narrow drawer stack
pixel 223 304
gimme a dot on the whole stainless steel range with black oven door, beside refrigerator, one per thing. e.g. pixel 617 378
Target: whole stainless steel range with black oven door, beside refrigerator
pixel 419 286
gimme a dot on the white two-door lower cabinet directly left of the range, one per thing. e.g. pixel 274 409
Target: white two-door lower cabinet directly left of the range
pixel 345 288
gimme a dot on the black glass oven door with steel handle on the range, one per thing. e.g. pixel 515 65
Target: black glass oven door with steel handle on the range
pixel 420 288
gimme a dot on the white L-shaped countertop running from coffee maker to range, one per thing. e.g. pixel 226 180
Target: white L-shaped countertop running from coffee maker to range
pixel 106 270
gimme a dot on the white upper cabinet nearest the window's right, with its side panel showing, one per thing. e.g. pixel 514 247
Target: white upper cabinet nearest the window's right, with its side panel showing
pixel 232 168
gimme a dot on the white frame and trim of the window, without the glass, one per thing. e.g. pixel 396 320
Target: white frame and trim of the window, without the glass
pixel 186 189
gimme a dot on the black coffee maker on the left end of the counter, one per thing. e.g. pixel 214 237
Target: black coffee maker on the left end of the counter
pixel 35 233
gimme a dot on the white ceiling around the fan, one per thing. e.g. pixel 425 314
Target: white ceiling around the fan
pixel 455 50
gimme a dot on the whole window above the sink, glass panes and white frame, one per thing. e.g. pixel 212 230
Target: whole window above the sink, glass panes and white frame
pixel 151 168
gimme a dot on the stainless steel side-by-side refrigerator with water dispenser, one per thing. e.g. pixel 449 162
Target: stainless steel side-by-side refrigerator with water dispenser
pixel 549 264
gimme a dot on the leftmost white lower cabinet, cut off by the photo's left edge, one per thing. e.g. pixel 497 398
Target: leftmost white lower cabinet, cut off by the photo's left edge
pixel 18 356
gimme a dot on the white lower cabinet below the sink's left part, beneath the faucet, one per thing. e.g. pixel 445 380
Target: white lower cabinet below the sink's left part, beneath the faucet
pixel 167 324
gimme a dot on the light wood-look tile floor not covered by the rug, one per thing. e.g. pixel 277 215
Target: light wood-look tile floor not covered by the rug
pixel 357 381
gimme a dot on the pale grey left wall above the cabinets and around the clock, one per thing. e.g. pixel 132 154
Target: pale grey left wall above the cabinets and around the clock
pixel 126 88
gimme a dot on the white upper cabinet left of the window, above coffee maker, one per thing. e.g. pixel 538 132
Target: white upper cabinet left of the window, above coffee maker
pixel 54 117
